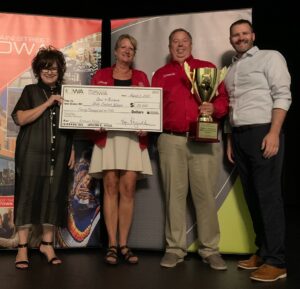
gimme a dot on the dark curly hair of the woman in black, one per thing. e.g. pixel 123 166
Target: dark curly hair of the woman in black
pixel 45 59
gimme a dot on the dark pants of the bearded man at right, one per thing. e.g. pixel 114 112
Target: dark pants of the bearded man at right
pixel 261 181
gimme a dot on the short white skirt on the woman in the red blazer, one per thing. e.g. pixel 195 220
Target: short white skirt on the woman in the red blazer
pixel 121 152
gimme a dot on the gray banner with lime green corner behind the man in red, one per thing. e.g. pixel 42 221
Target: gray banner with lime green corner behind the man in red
pixel 210 32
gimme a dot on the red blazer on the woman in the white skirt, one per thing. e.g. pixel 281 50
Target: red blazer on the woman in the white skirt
pixel 104 77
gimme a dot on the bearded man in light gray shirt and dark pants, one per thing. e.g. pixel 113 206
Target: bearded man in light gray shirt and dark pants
pixel 258 83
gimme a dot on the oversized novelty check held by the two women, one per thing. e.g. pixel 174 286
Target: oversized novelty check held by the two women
pixel 111 107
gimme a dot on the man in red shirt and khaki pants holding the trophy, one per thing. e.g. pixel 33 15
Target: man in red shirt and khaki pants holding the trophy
pixel 185 163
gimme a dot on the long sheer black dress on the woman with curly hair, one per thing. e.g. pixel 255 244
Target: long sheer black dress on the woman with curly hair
pixel 41 163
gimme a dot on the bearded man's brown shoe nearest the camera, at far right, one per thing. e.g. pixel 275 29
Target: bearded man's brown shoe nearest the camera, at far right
pixel 268 273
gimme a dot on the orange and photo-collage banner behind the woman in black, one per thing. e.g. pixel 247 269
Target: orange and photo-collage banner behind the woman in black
pixel 21 36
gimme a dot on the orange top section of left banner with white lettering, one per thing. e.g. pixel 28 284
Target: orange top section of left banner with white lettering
pixel 21 36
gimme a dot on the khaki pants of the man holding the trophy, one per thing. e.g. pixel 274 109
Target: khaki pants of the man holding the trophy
pixel 196 165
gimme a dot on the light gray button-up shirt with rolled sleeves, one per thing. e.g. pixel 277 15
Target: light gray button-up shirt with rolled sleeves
pixel 257 82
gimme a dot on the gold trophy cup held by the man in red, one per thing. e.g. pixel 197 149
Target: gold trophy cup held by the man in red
pixel 205 81
